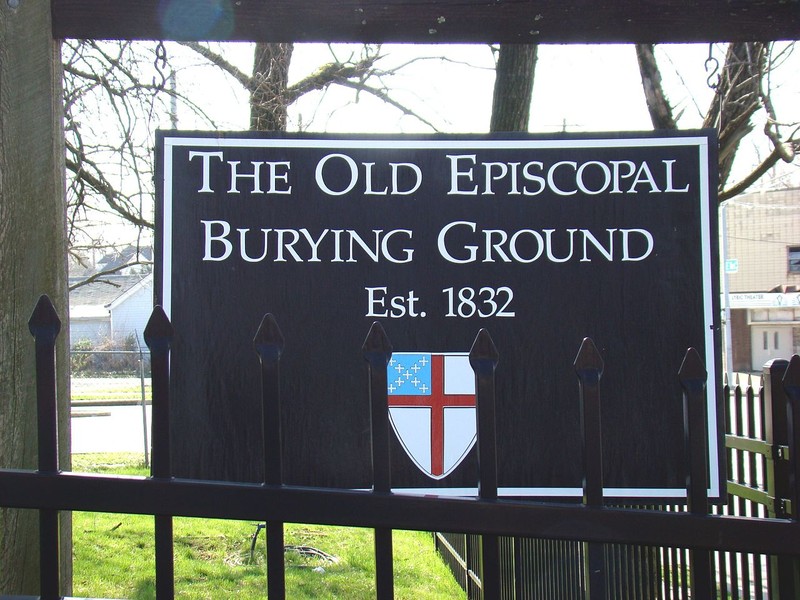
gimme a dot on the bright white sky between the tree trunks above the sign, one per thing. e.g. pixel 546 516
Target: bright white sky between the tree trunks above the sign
pixel 577 88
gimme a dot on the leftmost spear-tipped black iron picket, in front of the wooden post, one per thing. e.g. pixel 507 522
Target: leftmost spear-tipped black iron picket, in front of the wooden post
pixel 45 325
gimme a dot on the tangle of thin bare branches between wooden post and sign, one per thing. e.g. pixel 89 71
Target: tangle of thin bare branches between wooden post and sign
pixel 112 103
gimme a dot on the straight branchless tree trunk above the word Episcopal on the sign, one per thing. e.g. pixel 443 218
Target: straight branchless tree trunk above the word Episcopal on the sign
pixel 513 87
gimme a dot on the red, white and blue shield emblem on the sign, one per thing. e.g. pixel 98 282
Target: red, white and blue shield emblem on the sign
pixel 432 408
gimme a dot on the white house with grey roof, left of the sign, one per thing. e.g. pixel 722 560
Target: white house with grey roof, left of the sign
pixel 111 309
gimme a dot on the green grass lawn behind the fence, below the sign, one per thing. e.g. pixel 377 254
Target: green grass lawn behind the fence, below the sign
pixel 114 555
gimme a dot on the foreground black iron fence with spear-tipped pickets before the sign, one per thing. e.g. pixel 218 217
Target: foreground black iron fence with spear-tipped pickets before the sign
pixel 592 527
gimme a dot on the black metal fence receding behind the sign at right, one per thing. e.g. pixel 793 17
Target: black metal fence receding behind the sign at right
pixel 759 485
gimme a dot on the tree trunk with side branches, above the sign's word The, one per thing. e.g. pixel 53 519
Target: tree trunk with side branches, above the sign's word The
pixel 268 104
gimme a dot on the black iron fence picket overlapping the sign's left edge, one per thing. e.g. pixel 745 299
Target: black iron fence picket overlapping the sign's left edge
pixel 158 336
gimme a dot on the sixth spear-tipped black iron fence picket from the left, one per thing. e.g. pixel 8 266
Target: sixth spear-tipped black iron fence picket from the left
pixel 589 368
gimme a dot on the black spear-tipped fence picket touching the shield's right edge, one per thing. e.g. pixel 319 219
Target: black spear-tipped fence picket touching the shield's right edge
pixel 483 358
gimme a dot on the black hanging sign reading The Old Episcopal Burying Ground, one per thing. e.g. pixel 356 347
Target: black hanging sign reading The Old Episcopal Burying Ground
pixel 543 241
